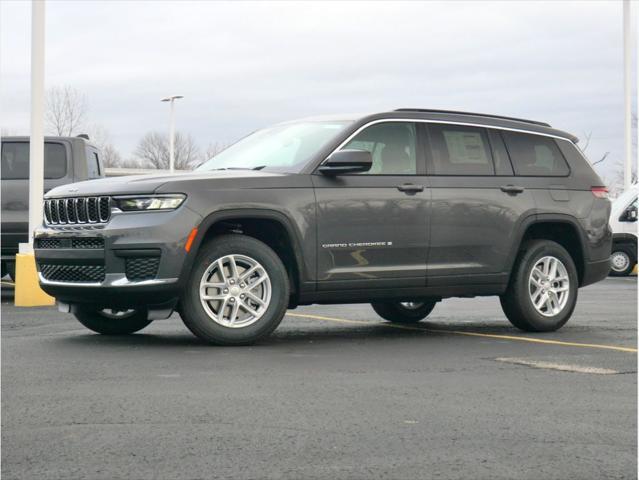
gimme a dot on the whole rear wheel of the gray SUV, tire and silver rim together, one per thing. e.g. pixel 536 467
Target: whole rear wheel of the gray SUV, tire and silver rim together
pixel 554 292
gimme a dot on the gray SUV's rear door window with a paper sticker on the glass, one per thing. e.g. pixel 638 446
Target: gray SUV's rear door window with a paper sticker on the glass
pixel 459 150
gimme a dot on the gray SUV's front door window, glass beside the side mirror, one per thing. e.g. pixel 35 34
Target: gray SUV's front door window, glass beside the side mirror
pixel 392 146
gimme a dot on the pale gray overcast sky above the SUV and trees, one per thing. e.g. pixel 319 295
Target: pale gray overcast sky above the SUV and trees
pixel 245 65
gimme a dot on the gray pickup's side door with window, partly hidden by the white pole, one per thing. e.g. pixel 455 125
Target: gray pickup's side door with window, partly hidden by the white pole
pixel 15 185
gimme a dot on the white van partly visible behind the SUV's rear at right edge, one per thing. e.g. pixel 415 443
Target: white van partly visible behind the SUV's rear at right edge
pixel 623 222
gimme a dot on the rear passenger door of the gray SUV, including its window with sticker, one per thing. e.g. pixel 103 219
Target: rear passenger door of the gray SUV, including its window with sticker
pixel 477 205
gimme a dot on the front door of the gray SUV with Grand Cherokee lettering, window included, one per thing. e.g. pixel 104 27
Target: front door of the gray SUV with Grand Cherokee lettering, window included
pixel 372 228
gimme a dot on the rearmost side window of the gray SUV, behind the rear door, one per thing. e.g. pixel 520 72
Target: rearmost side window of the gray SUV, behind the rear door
pixel 535 155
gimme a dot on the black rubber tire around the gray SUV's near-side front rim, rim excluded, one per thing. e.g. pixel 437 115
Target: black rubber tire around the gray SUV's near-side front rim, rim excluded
pixel 195 317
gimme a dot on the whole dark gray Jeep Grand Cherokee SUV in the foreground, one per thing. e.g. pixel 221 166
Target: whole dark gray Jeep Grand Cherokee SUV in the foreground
pixel 400 209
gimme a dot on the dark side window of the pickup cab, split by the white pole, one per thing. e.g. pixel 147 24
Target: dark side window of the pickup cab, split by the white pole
pixel 15 160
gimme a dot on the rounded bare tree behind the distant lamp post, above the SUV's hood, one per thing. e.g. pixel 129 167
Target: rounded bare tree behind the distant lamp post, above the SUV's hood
pixel 153 151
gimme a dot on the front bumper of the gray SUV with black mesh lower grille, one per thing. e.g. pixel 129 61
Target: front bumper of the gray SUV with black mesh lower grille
pixel 135 259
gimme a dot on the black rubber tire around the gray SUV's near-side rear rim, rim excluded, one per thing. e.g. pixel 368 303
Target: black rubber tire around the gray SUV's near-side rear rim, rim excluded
pixel 529 318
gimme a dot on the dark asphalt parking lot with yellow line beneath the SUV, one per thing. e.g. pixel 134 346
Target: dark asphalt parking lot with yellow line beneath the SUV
pixel 334 393
